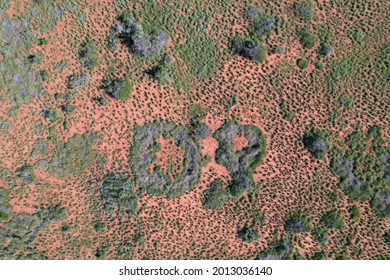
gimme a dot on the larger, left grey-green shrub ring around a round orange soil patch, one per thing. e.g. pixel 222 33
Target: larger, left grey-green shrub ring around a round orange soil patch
pixel 144 161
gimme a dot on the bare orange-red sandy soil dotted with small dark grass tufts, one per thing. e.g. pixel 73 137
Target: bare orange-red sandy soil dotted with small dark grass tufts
pixel 182 228
